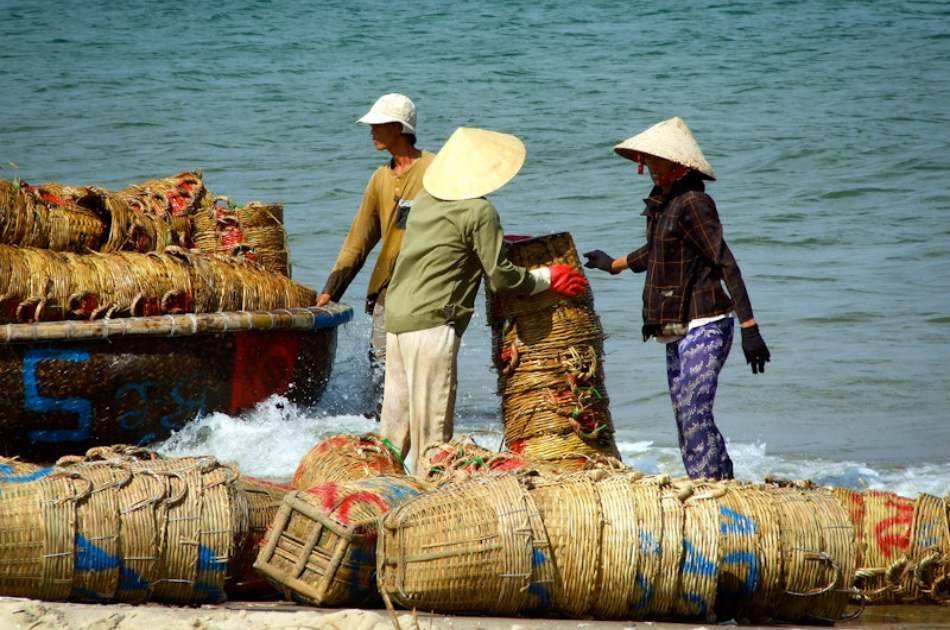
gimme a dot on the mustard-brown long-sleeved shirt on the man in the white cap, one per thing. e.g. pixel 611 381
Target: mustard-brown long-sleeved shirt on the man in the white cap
pixel 381 217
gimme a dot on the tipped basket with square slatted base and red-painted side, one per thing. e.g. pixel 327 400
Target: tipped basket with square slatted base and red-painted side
pixel 321 546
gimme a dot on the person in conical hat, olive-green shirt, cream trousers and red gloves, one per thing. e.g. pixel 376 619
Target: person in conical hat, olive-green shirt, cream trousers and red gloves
pixel 453 237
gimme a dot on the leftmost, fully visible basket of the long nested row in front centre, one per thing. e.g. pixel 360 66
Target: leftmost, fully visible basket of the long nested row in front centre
pixel 465 547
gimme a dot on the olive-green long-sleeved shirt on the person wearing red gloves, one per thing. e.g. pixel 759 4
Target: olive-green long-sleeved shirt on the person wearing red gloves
pixel 447 247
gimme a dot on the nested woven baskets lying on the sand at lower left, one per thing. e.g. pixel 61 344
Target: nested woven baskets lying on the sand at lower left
pixel 120 524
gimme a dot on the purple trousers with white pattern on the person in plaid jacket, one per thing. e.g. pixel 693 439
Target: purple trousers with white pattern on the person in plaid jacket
pixel 693 364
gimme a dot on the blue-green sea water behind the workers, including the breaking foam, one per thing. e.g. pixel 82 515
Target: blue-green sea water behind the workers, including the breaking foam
pixel 827 123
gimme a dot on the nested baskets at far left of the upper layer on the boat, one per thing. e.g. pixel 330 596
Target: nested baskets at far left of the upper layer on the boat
pixel 39 217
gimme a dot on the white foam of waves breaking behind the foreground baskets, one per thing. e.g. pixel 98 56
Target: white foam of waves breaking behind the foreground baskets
pixel 269 440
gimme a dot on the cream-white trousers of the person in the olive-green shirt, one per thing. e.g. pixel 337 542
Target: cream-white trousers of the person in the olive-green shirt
pixel 419 395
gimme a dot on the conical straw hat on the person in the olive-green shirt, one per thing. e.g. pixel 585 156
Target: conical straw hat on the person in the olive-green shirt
pixel 473 163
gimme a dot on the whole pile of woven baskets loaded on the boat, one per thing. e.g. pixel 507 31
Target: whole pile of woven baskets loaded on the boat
pixel 78 253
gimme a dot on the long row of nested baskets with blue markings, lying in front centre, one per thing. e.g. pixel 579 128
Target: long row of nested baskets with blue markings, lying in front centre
pixel 618 546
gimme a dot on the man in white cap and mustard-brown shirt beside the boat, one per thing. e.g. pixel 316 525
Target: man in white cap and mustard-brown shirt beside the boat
pixel 382 214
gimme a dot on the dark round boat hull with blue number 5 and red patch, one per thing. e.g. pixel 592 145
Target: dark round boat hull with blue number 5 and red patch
pixel 69 385
